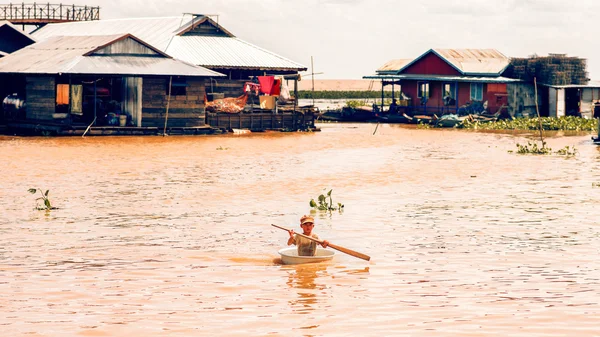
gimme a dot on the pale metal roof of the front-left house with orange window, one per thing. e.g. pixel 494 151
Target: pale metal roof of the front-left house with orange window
pixel 65 54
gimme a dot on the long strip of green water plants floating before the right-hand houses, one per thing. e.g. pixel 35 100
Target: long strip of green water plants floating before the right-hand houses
pixel 569 123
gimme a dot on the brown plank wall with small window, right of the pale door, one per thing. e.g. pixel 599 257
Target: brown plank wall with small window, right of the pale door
pixel 184 110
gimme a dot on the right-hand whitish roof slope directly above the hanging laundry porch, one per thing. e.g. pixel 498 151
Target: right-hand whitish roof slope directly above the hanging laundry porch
pixel 227 52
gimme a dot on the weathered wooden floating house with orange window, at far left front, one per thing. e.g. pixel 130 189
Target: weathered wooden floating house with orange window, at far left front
pixel 71 83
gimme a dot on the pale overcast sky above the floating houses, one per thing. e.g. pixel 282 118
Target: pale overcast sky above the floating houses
pixel 352 38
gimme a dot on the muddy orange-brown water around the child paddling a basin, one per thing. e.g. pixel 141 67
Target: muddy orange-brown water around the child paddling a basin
pixel 171 236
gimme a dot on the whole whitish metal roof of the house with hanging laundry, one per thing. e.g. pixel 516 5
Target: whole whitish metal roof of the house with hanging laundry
pixel 218 52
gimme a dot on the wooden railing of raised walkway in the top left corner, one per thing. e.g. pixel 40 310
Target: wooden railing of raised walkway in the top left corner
pixel 47 13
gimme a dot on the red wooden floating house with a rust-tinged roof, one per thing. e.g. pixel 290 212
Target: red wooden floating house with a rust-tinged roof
pixel 442 81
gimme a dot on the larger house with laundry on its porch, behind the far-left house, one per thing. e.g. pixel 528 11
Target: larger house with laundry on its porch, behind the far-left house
pixel 199 40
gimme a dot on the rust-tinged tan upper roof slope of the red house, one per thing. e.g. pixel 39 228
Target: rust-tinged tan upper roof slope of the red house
pixel 475 61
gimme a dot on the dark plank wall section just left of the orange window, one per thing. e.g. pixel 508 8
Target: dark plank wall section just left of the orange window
pixel 40 97
